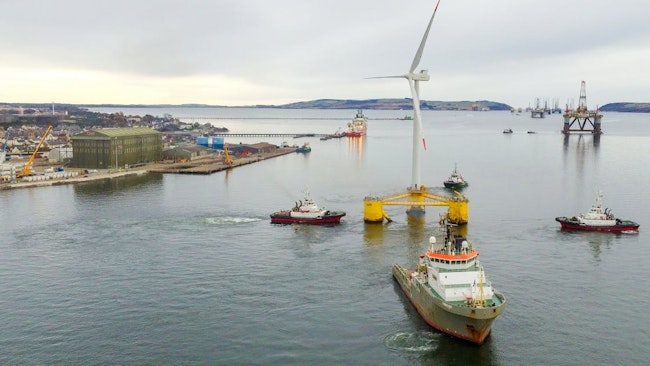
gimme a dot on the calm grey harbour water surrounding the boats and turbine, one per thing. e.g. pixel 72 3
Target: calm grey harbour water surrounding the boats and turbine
pixel 182 270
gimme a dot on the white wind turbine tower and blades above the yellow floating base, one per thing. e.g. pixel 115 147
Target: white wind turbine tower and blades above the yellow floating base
pixel 414 83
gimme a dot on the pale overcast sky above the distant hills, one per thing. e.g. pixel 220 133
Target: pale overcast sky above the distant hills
pixel 247 52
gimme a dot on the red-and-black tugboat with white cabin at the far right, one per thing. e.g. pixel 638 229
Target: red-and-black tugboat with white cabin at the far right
pixel 597 219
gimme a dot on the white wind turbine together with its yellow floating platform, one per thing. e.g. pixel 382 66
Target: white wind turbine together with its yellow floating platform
pixel 416 196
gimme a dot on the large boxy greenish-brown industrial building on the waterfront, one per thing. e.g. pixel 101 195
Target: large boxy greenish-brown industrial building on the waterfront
pixel 110 148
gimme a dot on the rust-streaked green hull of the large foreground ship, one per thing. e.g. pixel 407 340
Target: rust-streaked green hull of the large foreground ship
pixel 470 323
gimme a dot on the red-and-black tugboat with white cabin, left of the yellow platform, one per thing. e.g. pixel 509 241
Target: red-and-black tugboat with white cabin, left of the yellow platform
pixel 307 212
